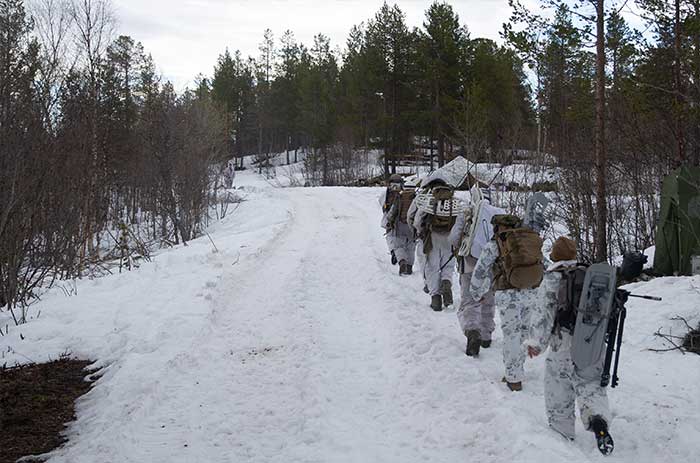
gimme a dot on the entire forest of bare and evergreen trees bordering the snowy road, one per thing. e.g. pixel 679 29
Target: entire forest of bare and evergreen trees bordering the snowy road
pixel 102 159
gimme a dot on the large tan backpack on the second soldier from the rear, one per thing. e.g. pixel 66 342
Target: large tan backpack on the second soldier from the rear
pixel 520 262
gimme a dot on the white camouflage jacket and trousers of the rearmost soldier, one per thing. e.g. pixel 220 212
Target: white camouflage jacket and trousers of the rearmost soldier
pixel 562 385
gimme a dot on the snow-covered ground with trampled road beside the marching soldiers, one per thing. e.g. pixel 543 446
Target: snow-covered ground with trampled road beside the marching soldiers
pixel 298 342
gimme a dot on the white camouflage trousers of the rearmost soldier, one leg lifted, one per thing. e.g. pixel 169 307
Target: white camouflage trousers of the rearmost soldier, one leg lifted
pixel 562 387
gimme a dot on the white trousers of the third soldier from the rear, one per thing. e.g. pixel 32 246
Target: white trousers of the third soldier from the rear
pixel 474 315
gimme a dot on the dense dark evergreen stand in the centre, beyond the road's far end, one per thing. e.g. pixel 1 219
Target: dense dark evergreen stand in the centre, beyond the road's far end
pixel 413 94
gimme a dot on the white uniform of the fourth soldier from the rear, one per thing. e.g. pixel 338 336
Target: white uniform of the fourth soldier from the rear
pixel 439 263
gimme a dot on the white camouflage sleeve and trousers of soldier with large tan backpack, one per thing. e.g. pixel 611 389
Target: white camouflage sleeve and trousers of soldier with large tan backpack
pixel 514 308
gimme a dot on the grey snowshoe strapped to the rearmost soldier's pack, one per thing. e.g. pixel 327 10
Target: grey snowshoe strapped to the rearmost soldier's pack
pixel 589 345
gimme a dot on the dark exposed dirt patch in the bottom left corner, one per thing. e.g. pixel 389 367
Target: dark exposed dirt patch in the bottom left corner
pixel 36 402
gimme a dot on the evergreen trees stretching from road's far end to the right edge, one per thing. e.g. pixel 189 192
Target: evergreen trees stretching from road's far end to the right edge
pixel 614 110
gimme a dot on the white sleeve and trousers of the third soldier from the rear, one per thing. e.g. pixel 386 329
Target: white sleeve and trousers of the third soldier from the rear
pixel 472 314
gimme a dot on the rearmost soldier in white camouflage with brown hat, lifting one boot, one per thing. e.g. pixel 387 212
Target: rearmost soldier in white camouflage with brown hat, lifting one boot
pixel 563 386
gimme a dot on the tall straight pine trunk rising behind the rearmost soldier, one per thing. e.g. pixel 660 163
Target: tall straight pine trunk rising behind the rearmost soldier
pixel 600 155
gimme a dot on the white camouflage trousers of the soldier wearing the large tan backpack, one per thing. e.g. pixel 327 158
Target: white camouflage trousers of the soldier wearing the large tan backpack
pixel 514 308
